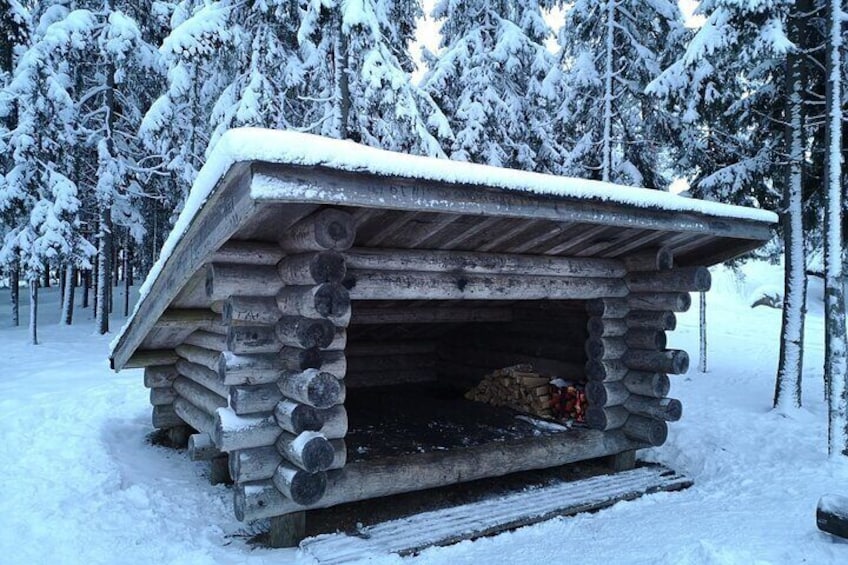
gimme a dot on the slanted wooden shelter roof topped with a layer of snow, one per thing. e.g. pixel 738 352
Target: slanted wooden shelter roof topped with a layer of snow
pixel 257 183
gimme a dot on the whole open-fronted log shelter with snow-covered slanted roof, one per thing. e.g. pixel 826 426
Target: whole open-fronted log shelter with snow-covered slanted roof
pixel 321 306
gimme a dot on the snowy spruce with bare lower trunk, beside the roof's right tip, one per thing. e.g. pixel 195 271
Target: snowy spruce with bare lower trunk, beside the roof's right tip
pixel 739 90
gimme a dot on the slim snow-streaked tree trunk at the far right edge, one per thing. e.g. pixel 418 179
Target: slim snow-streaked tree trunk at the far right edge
pixel 835 362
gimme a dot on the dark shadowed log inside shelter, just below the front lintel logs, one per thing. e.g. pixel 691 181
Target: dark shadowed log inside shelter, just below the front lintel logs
pixel 364 315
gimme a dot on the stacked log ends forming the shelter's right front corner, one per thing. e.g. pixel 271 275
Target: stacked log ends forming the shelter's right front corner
pixel 628 360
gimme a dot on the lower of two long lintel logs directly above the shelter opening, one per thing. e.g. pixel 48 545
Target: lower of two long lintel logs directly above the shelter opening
pixel 392 285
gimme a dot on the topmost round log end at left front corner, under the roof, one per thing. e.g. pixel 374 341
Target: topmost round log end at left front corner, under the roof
pixel 326 229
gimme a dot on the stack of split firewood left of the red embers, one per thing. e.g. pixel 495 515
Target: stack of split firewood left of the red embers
pixel 518 387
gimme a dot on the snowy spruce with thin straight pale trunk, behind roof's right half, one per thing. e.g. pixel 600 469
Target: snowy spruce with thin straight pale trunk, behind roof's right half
pixel 611 50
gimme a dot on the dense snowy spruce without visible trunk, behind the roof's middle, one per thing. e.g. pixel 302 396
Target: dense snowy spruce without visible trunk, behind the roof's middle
pixel 489 78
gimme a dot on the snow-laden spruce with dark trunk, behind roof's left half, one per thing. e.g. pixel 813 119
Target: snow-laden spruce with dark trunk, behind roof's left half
pixel 357 81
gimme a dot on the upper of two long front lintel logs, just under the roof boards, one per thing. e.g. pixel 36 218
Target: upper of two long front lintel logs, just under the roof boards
pixel 367 259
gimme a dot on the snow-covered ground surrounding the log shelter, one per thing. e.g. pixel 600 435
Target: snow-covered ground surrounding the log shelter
pixel 81 484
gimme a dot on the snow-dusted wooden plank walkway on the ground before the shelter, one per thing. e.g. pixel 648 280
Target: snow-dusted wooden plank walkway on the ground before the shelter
pixel 468 521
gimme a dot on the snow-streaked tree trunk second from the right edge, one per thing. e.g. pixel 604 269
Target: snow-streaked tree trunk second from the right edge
pixel 787 388
